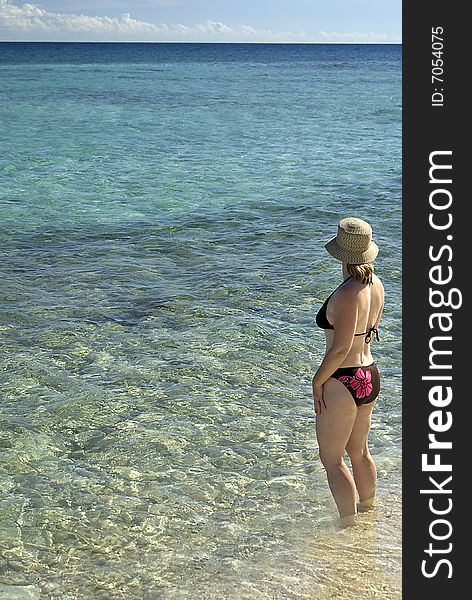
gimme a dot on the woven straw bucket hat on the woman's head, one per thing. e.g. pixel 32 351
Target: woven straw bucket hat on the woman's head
pixel 353 244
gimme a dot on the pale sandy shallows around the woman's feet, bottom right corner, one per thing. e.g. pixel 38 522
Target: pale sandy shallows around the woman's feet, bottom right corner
pixel 362 562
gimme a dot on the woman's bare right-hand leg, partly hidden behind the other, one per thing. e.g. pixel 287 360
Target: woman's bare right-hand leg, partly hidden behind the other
pixel 363 466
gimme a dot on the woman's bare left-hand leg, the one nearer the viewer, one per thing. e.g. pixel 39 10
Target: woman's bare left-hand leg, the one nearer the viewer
pixel 333 429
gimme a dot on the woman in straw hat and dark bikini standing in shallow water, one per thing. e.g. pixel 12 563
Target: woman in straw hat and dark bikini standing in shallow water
pixel 346 384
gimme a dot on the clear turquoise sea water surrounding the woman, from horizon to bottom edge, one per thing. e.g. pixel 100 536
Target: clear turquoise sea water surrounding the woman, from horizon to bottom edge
pixel 163 211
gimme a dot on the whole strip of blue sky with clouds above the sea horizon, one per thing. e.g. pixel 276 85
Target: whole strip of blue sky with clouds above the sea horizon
pixel 343 21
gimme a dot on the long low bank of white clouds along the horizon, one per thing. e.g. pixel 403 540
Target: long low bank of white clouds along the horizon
pixel 32 22
